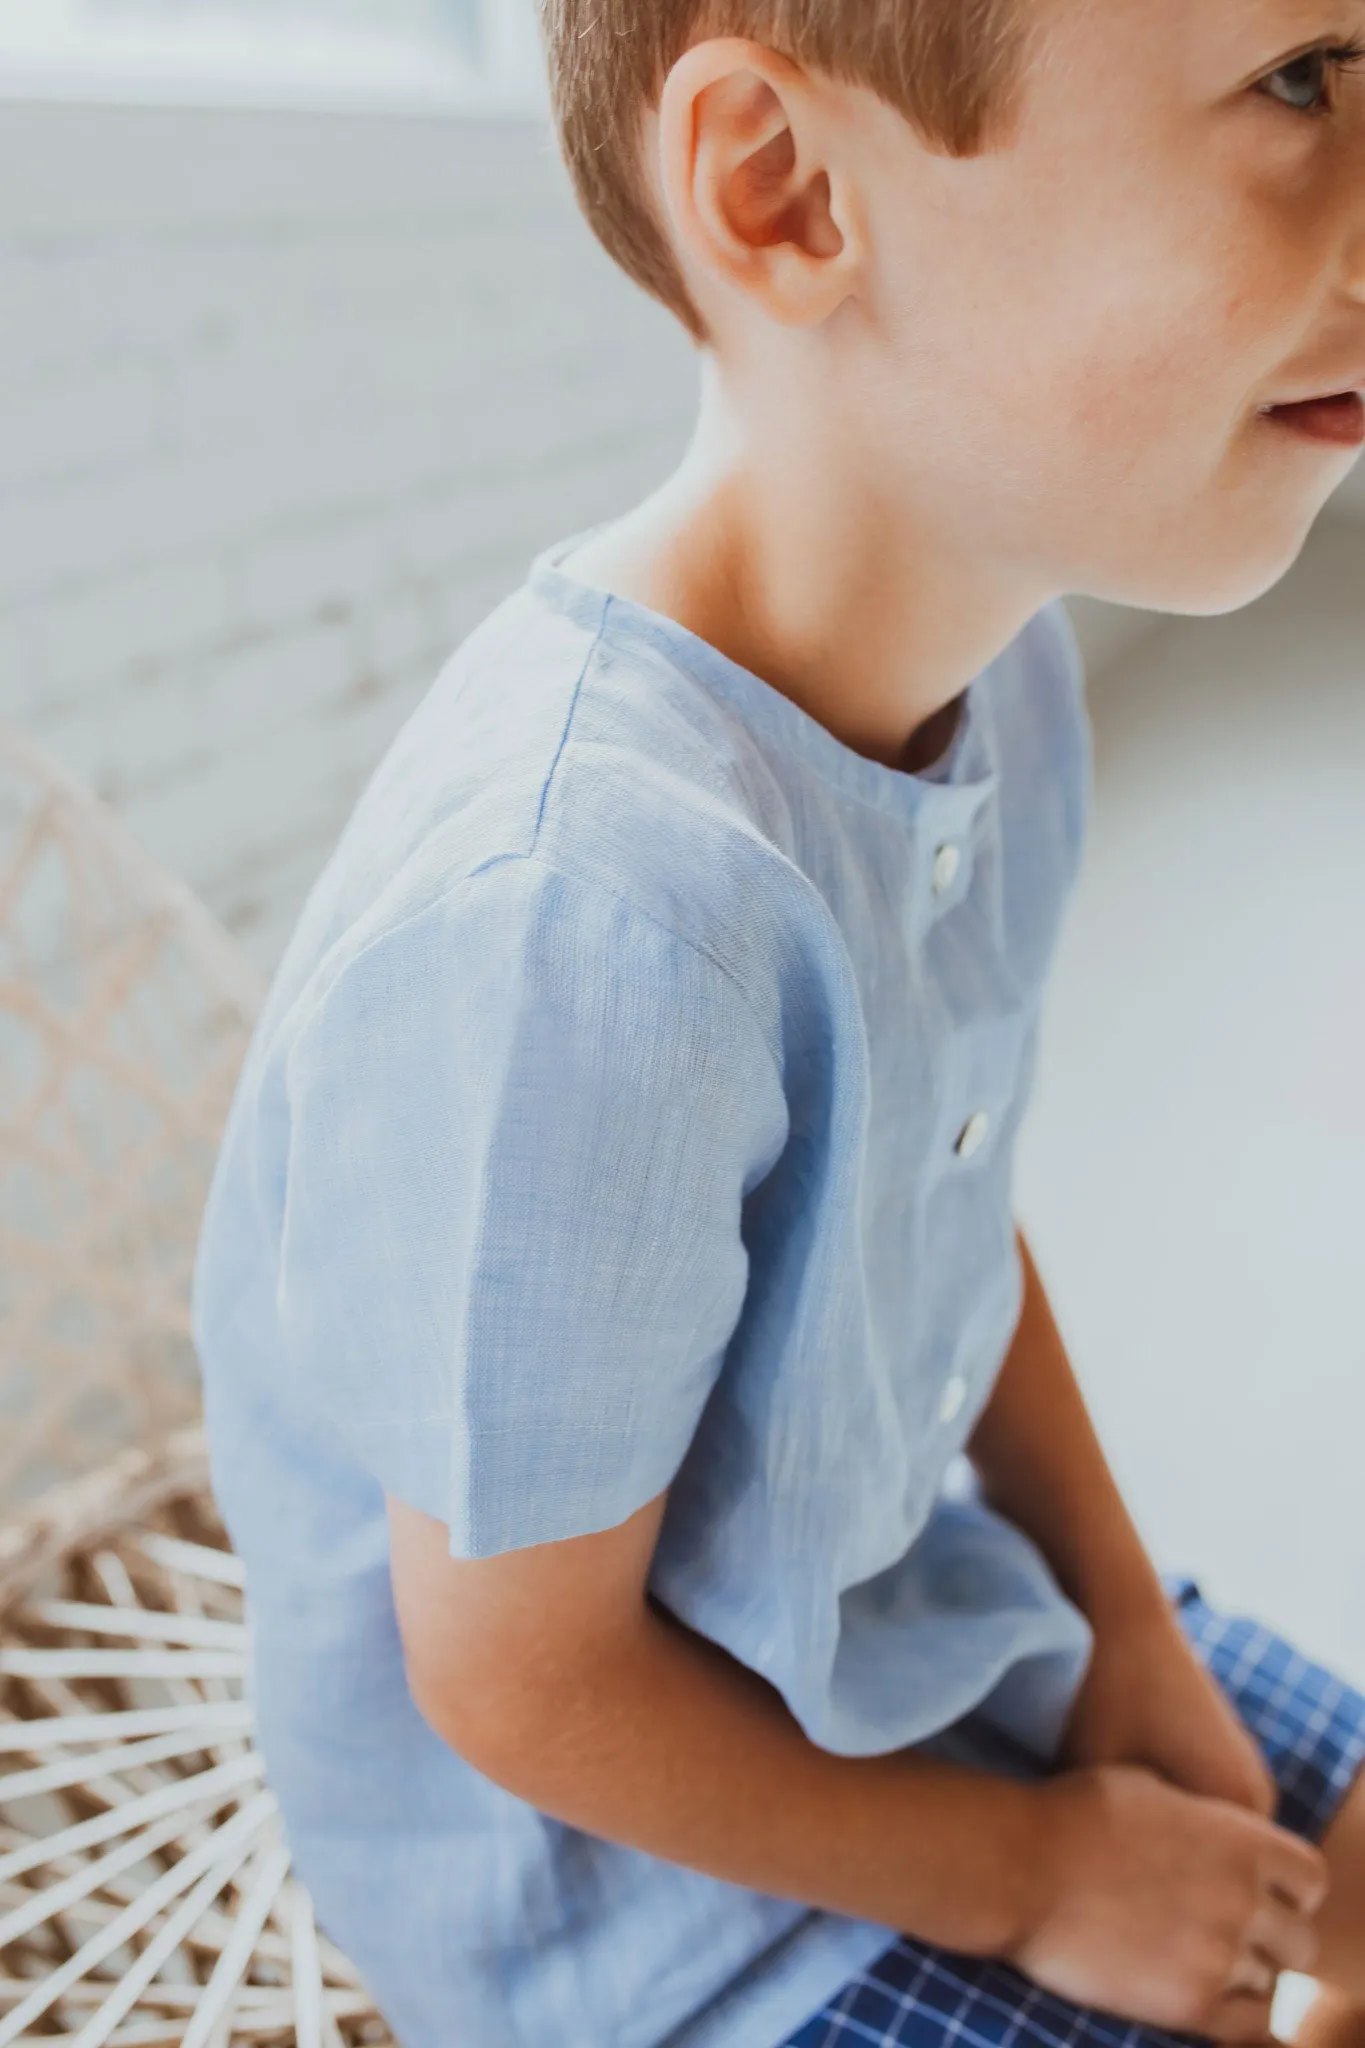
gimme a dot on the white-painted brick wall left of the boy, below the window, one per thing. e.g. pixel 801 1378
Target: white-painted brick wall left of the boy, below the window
pixel 285 404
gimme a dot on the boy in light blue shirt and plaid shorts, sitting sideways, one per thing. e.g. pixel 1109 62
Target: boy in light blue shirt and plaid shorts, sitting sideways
pixel 611 1250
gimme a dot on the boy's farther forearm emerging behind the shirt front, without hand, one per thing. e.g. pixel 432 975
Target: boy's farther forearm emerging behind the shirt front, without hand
pixel 1043 1467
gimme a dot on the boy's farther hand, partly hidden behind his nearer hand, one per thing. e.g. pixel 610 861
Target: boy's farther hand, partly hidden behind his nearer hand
pixel 1147 1699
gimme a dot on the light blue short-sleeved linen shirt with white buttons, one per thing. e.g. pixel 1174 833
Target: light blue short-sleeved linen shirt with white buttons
pixel 635 1109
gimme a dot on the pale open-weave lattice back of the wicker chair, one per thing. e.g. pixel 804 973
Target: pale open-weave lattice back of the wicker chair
pixel 124 1019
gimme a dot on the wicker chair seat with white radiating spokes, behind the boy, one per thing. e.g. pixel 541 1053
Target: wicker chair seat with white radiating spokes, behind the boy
pixel 144 1881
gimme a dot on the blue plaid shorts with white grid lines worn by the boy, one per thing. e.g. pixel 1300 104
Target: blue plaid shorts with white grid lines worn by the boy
pixel 1313 1732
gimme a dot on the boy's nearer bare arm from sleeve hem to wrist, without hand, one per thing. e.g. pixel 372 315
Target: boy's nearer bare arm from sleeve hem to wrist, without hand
pixel 554 1674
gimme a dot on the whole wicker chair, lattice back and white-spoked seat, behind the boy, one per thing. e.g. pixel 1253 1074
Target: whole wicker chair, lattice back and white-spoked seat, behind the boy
pixel 144 1881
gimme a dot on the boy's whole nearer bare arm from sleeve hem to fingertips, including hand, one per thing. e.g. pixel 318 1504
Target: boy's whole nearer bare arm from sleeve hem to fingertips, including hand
pixel 549 1672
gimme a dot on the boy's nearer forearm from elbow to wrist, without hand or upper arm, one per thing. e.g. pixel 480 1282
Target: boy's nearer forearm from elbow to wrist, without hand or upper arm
pixel 664 1744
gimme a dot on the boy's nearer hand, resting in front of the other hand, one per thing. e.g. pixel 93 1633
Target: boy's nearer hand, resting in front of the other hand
pixel 1168 1908
